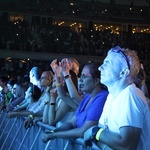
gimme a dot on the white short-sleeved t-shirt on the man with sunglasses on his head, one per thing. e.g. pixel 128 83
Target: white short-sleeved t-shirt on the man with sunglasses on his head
pixel 129 108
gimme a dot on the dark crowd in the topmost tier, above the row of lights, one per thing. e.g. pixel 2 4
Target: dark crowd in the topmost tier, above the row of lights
pixel 76 8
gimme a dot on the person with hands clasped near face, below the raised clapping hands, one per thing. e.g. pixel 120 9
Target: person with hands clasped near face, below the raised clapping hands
pixel 55 109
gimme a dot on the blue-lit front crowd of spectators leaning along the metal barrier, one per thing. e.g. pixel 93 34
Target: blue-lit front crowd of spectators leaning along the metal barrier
pixel 107 103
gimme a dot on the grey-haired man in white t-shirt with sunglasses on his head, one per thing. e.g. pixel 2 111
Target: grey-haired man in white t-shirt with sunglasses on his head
pixel 125 120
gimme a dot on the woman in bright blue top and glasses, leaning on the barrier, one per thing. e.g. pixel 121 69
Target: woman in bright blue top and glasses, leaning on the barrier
pixel 89 109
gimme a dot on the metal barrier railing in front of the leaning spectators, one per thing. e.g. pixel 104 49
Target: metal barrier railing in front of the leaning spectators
pixel 15 137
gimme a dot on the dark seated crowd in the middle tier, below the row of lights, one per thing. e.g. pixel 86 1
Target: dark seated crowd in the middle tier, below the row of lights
pixel 63 40
